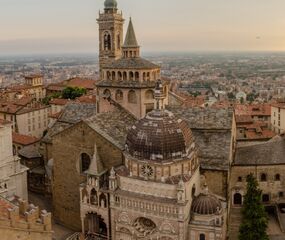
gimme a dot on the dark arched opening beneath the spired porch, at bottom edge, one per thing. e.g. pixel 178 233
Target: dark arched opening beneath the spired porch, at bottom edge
pixel 95 227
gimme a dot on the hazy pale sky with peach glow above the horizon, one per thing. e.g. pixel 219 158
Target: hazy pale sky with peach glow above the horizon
pixel 69 26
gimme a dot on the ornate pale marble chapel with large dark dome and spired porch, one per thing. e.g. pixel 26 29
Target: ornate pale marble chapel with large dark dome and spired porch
pixel 156 193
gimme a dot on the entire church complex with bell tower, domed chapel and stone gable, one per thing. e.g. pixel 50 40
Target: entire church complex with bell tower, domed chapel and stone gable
pixel 139 169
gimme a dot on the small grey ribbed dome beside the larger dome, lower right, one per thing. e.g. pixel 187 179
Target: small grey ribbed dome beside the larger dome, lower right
pixel 206 204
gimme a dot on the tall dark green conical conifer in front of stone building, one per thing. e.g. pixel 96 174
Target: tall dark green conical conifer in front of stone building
pixel 254 217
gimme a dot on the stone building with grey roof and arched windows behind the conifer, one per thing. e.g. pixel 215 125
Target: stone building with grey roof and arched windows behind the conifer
pixel 266 162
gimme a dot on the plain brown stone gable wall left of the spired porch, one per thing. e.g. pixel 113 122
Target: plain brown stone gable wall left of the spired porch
pixel 67 148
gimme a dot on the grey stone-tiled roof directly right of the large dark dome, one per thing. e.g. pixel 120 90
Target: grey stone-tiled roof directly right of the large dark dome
pixel 212 133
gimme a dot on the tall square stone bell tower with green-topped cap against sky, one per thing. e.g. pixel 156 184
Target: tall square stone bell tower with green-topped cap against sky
pixel 110 33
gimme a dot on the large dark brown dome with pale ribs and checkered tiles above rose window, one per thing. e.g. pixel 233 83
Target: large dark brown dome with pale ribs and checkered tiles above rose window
pixel 160 136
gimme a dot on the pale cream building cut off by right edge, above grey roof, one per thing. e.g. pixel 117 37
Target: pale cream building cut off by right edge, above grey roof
pixel 278 117
